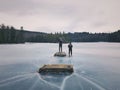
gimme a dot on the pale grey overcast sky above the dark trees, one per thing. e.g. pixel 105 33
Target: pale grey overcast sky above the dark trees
pixel 62 15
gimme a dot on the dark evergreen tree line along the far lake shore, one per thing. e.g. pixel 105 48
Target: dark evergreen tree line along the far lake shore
pixel 8 34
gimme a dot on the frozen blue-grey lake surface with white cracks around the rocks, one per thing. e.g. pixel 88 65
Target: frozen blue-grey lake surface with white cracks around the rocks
pixel 96 66
